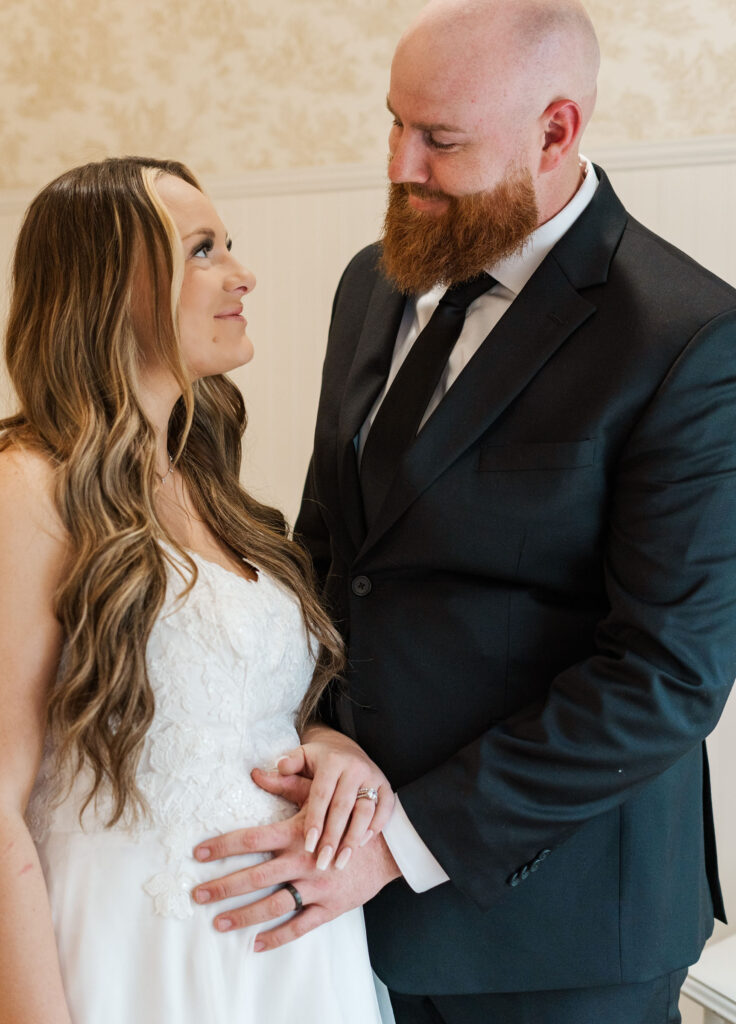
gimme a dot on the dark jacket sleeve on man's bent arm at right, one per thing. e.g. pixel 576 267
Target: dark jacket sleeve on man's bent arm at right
pixel 666 653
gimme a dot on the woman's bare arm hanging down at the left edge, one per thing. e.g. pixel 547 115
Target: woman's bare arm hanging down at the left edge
pixel 32 554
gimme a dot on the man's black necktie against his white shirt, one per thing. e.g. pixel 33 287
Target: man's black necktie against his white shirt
pixel 399 418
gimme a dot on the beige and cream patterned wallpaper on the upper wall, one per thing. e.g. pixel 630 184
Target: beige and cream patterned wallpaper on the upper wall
pixel 236 86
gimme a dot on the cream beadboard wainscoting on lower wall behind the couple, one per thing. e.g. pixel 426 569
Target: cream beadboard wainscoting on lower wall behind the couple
pixel 296 230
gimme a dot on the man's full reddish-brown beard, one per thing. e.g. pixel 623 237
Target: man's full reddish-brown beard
pixel 473 233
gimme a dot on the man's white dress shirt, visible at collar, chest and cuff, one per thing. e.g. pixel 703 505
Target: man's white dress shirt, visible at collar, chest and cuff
pixel 421 870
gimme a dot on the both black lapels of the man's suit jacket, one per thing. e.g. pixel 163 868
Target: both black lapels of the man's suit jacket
pixel 548 311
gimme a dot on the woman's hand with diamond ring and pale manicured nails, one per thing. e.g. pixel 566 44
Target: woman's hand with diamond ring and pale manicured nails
pixel 336 820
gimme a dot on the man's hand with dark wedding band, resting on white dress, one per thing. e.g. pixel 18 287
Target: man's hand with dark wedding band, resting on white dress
pixel 326 894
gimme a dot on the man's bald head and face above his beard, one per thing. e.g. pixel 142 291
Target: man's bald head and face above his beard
pixel 481 89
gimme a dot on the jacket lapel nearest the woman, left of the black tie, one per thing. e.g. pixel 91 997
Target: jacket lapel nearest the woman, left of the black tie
pixel 366 378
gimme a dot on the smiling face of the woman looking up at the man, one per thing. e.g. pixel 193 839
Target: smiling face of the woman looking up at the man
pixel 212 327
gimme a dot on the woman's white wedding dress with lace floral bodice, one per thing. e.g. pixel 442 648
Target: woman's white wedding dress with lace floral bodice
pixel 229 667
